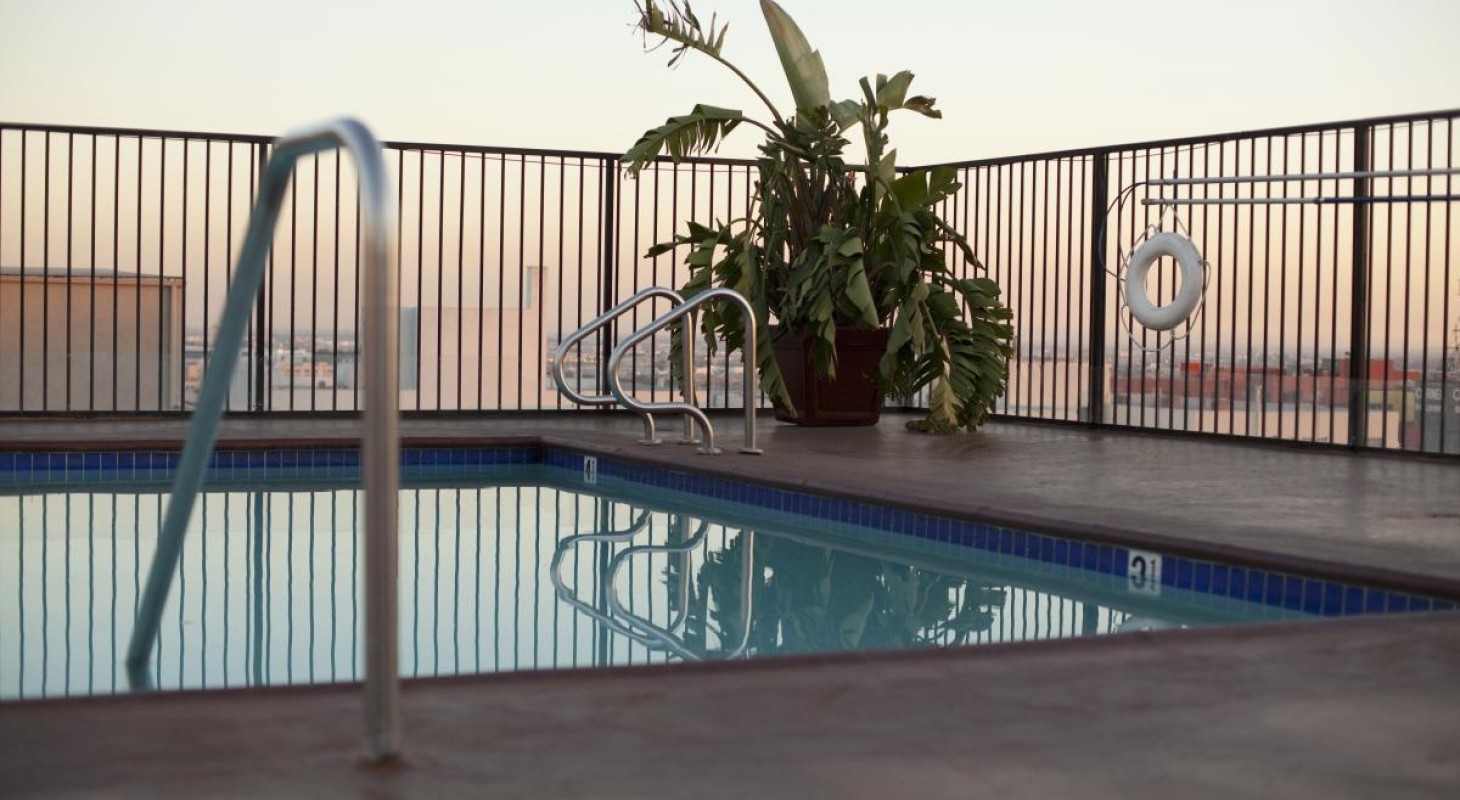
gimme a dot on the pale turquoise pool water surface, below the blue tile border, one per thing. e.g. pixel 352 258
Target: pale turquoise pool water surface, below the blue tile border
pixel 515 576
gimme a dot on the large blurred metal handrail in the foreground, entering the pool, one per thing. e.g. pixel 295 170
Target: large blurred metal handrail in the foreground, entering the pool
pixel 380 443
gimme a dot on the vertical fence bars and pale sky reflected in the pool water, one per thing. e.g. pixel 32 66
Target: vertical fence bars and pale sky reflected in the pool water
pixel 266 592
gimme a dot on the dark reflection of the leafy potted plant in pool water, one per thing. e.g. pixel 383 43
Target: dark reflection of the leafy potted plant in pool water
pixel 820 599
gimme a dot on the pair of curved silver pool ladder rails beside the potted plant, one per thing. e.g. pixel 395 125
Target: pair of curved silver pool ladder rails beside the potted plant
pixel 683 312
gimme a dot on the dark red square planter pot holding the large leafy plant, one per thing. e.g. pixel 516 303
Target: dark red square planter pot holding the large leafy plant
pixel 852 398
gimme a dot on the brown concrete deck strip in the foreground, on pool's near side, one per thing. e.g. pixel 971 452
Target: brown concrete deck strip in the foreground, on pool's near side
pixel 1348 709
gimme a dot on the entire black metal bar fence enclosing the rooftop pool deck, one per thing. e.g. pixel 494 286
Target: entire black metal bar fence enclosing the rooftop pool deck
pixel 1332 309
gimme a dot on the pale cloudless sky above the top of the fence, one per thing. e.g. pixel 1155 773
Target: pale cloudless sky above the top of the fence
pixel 1011 77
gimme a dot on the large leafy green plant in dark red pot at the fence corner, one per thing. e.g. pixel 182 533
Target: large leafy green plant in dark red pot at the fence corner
pixel 837 255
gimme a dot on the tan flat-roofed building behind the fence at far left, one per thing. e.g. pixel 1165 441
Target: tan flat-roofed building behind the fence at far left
pixel 90 342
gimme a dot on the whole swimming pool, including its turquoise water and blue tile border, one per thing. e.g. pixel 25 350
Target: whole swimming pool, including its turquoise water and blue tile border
pixel 539 558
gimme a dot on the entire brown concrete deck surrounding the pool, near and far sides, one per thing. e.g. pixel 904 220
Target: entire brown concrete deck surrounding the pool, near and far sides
pixel 1348 709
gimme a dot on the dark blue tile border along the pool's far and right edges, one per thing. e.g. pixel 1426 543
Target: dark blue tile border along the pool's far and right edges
pixel 1278 591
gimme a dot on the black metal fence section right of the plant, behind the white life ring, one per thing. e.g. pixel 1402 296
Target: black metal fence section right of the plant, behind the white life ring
pixel 1332 309
